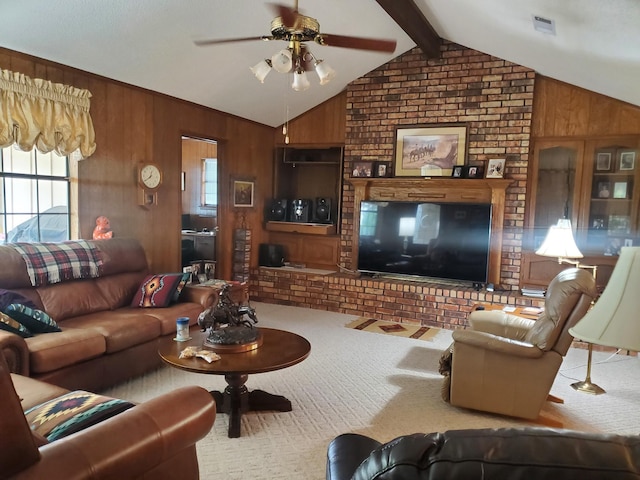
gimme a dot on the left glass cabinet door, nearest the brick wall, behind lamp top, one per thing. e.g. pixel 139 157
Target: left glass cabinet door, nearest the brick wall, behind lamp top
pixel 555 178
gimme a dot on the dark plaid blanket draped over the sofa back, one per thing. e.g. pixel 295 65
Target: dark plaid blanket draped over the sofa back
pixel 55 262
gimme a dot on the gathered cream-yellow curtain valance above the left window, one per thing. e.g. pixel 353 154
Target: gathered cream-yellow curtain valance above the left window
pixel 48 116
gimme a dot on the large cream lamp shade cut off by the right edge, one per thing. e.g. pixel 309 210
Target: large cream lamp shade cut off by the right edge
pixel 613 321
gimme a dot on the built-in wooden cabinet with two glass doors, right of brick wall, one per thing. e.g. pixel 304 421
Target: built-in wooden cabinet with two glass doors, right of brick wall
pixel 594 182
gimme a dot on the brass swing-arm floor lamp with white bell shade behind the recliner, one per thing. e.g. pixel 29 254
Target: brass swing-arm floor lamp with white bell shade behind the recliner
pixel 560 243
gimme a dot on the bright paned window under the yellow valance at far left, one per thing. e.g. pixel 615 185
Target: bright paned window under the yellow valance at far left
pixel 34 196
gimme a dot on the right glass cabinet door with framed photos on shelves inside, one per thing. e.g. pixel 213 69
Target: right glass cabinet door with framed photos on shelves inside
pixel 612 196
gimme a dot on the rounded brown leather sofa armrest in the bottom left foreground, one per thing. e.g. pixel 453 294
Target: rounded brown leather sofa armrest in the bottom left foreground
pixel 132 442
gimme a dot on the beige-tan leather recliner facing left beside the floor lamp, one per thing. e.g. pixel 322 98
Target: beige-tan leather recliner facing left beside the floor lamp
pixel 507 364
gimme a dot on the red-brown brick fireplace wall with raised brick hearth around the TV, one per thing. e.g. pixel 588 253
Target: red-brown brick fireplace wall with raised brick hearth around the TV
pixel 494 98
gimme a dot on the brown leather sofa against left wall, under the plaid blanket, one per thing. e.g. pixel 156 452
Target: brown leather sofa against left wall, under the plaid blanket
pixel 103 340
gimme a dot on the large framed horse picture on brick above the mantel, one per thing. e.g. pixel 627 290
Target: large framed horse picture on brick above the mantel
pixel 429 151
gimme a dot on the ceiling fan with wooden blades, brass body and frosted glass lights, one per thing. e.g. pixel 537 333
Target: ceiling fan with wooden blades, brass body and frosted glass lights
pixel 293 27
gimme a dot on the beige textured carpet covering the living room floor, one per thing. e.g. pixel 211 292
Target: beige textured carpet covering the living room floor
pixel 378 385
